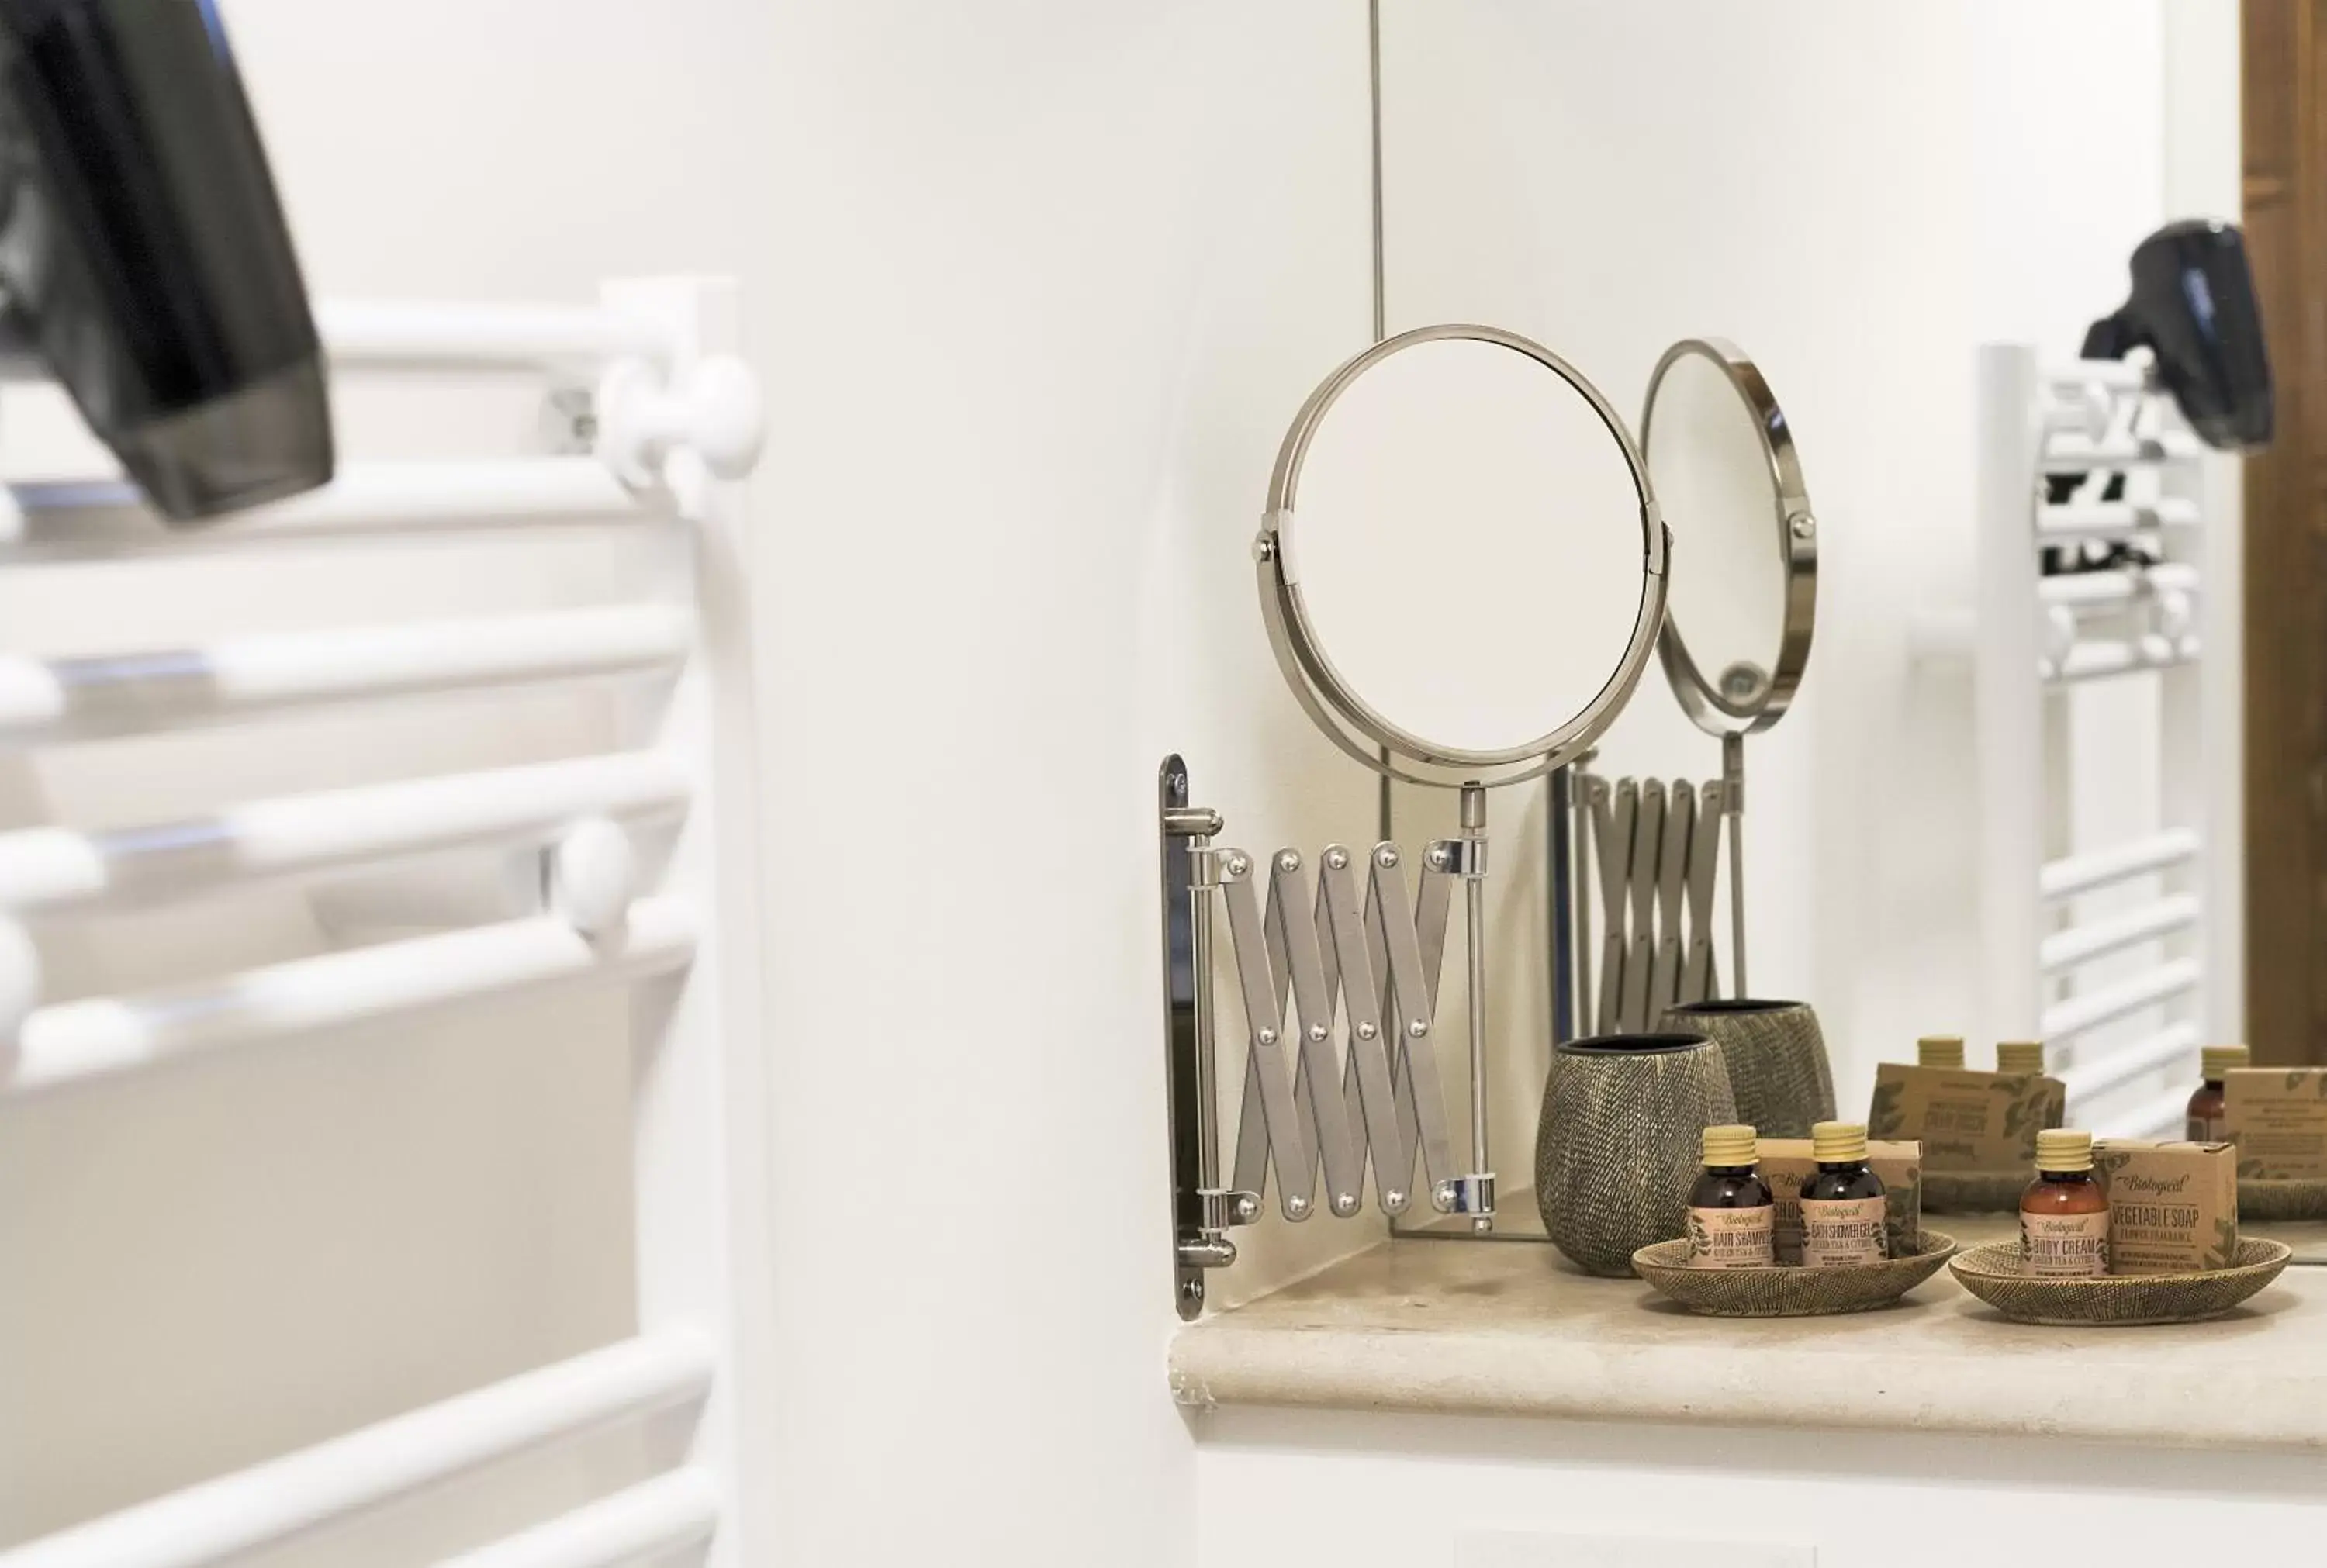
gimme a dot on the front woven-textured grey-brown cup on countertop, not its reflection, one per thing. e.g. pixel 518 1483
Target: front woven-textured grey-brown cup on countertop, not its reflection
pixel 1618 1143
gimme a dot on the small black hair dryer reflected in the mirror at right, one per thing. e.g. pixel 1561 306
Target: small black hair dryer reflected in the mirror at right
pixel 2193 306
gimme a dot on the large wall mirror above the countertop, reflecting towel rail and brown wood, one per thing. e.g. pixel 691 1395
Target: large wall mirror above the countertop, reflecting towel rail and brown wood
pixel 1616 183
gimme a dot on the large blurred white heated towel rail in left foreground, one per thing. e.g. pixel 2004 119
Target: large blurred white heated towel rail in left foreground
pixel 676 422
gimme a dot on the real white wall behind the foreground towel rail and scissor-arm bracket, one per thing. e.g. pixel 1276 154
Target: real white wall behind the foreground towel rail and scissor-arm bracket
pixel 1032 292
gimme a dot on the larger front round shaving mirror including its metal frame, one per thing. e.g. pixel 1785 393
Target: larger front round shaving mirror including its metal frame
pixel 1463 562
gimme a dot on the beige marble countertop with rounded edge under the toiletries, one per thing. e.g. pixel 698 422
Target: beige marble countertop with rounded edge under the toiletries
pixel 1514 1330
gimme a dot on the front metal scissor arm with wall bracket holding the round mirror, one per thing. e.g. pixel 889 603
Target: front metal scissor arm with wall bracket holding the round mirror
pixel 1337 978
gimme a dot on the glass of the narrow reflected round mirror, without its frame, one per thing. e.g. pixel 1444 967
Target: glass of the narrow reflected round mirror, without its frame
pixel 1712 471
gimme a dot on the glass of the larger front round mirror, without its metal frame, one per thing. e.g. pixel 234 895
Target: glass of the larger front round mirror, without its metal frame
pixel 1470 548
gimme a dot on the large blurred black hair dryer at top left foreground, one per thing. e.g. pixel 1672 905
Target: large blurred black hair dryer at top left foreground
pixel 143 252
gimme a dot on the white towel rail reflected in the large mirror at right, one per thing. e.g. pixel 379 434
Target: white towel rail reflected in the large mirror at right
pixel 2121 955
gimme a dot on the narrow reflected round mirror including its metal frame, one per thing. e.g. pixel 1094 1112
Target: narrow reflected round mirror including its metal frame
pixel 1730 483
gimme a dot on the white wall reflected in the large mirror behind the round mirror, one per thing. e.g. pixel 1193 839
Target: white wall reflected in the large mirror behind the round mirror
pixel 1858 197
